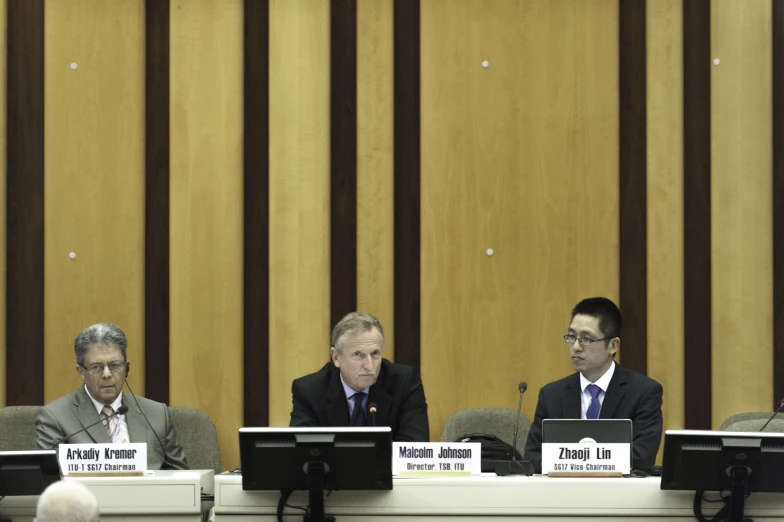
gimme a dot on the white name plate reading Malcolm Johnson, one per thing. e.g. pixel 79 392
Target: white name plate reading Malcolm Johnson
pixel 436 458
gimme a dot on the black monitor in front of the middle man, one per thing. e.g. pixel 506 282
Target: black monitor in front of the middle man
pixel 315 460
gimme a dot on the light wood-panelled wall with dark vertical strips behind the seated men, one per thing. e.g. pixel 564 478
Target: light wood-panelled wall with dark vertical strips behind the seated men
pixel 232 175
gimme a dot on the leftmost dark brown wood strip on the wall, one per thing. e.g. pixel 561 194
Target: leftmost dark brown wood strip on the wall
pixel 25 204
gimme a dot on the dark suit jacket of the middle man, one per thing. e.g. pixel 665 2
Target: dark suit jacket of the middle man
pixel 320 400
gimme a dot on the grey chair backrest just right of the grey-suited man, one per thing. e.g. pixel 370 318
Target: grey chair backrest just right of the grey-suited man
pixel 198 437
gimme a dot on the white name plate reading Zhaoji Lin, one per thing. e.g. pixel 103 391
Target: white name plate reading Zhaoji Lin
pixel 589 457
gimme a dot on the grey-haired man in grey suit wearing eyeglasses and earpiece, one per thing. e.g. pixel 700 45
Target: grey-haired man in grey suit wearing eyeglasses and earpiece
pixel 102 364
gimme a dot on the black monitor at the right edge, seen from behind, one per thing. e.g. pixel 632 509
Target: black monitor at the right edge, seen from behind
pixel 735 464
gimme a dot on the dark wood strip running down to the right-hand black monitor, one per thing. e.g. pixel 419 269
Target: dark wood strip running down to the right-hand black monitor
pixel 697 213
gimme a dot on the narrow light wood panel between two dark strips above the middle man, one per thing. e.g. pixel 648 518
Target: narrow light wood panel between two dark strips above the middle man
pixel 375 193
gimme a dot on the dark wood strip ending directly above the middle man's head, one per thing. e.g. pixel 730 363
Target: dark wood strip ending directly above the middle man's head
pixel 343 158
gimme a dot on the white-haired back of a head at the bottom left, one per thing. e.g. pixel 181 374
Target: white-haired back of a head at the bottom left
pixel 67 501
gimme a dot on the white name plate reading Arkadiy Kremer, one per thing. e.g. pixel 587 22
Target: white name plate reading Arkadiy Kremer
pixel 102 458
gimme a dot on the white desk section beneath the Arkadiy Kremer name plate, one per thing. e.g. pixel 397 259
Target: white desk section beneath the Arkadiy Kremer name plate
pixel 156 496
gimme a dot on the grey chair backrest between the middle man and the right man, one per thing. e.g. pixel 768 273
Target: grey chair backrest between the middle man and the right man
pixel 493 421
